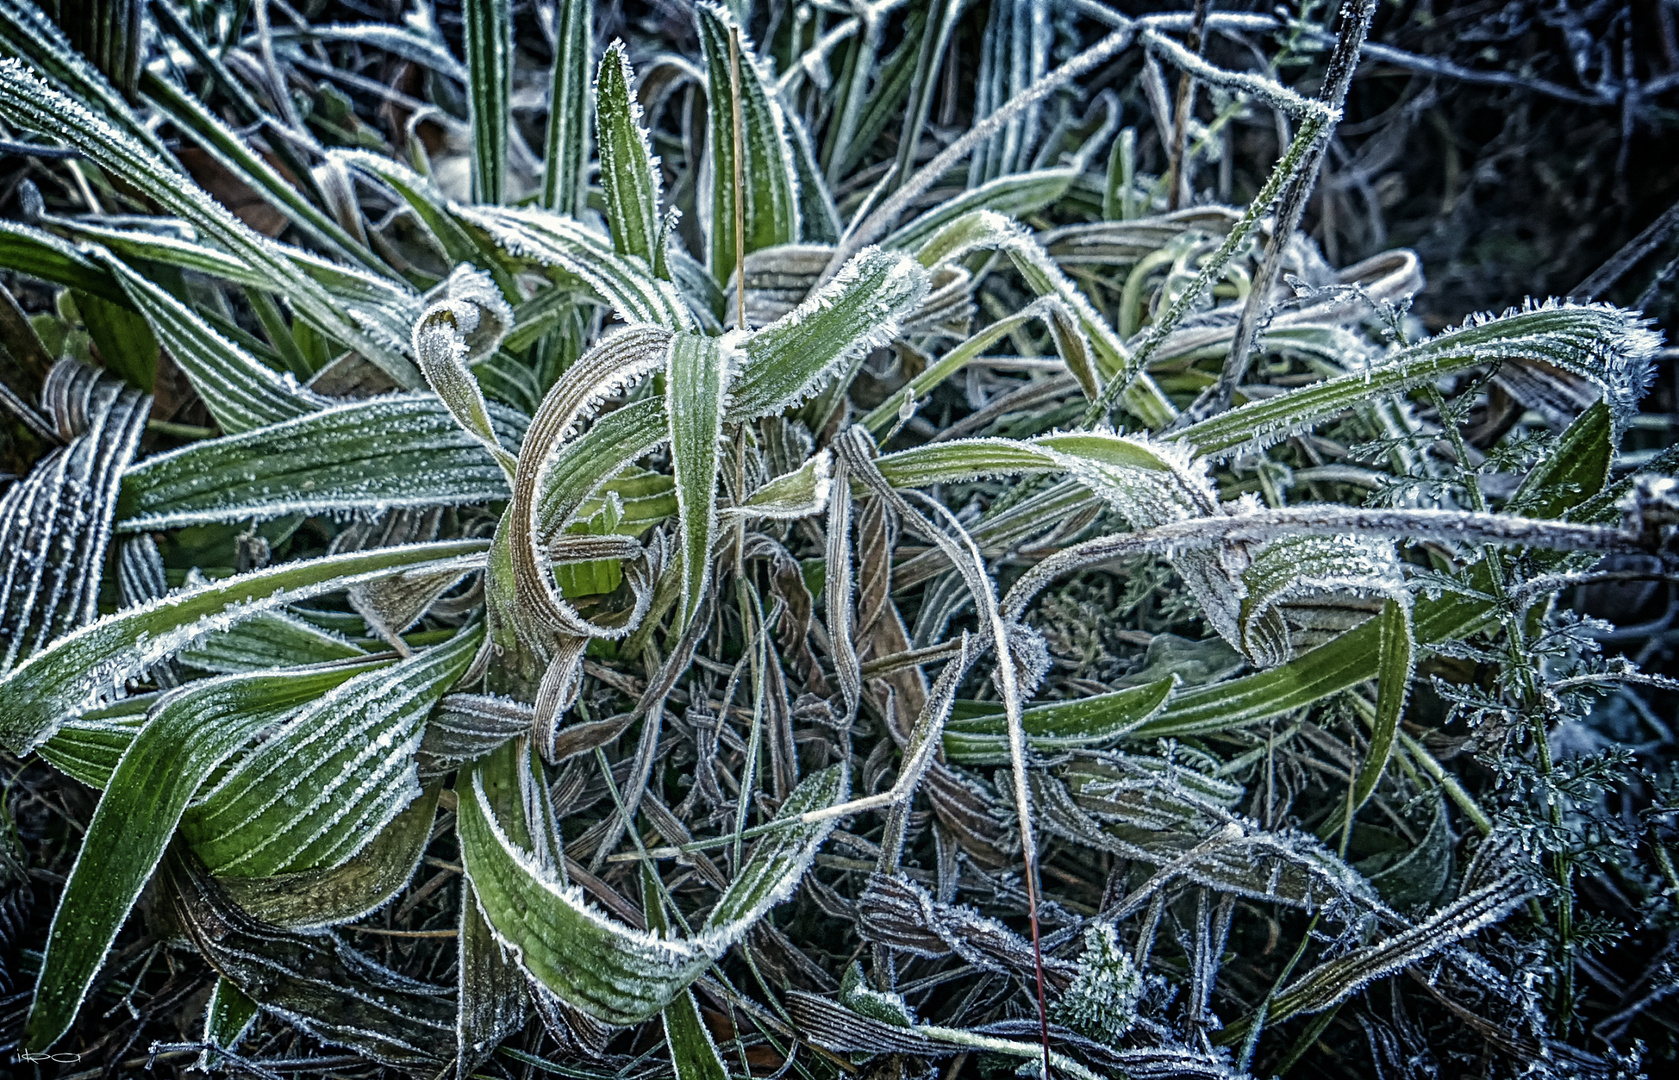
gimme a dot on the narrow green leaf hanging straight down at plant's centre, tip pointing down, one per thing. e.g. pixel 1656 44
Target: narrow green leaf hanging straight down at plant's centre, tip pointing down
pixel 698 377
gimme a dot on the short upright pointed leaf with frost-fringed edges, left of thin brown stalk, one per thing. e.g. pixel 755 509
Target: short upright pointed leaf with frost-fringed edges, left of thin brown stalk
pixel 629 167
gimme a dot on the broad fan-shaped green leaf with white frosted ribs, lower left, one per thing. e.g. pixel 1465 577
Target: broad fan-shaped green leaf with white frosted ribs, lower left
pixel 332 779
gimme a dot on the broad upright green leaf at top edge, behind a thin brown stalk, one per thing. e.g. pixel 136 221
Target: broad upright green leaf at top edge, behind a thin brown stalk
pixel 770 186
